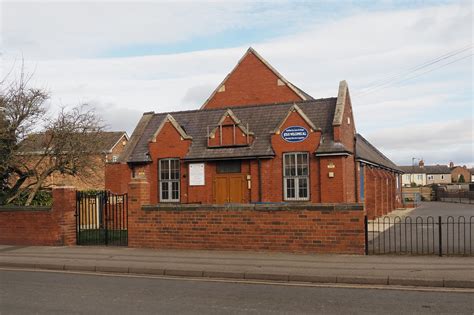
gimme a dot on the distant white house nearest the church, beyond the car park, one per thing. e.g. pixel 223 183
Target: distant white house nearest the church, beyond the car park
pixel 422 174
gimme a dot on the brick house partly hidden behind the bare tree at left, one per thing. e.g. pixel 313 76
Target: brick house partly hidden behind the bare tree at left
pixel 111 143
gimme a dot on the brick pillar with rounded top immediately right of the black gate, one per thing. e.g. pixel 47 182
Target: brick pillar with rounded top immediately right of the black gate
pixel 138 195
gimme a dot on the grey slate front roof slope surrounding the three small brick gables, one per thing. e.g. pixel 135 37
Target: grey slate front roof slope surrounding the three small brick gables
pixel 261 119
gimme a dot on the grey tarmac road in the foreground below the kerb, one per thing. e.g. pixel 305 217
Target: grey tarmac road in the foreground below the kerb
pixel 26 292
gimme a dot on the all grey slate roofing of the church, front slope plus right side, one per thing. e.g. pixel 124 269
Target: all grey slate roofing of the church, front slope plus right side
pixel 261 119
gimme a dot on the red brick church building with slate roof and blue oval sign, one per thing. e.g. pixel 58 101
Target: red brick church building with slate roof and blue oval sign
pixel 258 139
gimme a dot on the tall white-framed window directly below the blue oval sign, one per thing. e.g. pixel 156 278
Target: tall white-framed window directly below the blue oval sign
pixel 296 176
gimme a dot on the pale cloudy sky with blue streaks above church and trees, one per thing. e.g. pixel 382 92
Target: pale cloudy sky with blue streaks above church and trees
pixel 409 64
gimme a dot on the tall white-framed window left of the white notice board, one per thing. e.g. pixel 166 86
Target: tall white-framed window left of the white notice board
pixel 169 180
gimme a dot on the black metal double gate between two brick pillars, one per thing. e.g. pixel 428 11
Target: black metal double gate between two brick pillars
pixel 101 218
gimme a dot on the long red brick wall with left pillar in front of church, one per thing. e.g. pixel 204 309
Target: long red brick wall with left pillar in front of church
pixel 305 228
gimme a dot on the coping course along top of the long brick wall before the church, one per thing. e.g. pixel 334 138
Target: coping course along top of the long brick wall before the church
pixel 256 207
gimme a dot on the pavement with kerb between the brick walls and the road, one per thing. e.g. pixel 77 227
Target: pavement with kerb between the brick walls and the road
pixel 426 271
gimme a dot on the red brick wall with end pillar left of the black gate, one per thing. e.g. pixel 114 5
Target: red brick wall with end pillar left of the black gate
pixel 53 226
